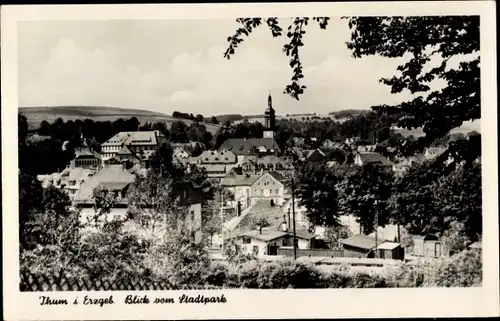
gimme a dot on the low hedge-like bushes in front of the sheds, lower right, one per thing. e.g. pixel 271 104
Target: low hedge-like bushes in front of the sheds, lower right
pixel 461 270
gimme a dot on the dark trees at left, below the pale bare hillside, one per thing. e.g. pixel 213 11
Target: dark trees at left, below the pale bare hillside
pixel 56 148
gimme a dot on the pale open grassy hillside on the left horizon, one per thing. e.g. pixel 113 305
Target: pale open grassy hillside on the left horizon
pixel 36 115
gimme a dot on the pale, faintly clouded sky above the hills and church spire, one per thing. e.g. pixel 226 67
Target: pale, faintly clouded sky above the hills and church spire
pixel 178 65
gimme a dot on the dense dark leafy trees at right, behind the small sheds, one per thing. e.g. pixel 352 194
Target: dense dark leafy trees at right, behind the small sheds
pixel 429 198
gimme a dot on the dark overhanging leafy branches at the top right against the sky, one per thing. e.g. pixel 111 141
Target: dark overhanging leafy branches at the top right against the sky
pixel 420 38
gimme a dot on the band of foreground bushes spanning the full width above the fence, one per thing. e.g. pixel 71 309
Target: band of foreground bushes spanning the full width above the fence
pixel 184 263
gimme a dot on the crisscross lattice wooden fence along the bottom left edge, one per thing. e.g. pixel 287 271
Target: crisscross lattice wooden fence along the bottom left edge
pixel 42 282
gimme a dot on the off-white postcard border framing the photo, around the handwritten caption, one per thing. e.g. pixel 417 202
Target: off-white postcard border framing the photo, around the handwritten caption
pixel 421 302
